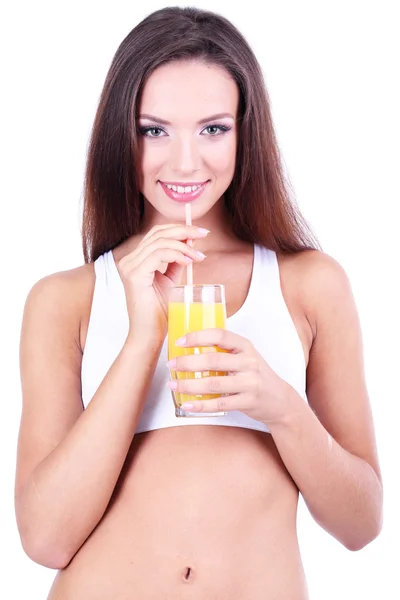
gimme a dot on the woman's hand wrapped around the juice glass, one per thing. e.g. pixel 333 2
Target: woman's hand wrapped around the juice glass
pixel 251 386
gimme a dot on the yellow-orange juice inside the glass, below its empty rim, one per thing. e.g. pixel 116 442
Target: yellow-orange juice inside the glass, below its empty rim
pixel 187 317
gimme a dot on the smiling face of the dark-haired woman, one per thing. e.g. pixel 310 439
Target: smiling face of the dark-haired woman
pixel 188 136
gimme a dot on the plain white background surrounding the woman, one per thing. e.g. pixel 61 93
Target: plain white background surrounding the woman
pixel 331 69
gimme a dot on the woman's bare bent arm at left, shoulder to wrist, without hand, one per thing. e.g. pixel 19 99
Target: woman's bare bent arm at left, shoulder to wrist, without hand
pixel 69 460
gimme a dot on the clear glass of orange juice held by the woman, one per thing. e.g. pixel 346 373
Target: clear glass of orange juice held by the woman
pixel 192 308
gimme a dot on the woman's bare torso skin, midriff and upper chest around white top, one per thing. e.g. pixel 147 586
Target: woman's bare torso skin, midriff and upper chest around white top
pixel 201 511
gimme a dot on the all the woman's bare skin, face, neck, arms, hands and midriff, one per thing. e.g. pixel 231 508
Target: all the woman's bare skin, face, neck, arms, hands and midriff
pixel 326 448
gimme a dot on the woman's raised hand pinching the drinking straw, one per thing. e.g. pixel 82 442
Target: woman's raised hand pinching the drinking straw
pixel 147 273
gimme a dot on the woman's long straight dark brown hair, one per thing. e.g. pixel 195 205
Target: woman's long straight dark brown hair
pixel 258 199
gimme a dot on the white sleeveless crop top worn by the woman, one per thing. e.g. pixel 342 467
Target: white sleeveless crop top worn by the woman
pixel 263 318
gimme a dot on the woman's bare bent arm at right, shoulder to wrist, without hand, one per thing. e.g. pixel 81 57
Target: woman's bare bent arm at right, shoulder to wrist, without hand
pixel 330 449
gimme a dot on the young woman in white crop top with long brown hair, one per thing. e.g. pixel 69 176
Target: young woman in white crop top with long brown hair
pixel 112 489
